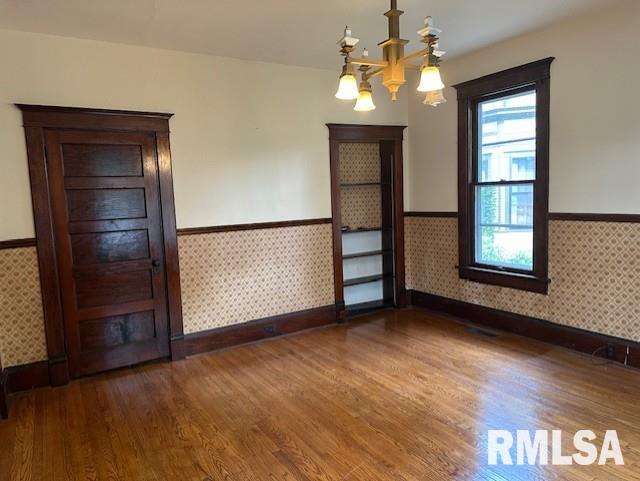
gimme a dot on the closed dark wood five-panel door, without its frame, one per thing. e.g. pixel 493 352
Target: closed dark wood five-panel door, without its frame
pixel 108 234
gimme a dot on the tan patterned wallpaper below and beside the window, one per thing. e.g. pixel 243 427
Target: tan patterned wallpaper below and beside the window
pixel 594 269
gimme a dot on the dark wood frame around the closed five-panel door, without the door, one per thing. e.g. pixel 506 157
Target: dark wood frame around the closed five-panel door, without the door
pixel 37 119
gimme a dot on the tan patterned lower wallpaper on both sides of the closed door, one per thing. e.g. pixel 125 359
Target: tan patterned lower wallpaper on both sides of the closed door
pixel 227 278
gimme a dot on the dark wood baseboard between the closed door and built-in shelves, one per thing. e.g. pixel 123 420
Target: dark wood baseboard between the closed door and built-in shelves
pixel 214 339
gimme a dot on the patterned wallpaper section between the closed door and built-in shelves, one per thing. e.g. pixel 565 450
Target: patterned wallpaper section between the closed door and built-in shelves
pixel 233 277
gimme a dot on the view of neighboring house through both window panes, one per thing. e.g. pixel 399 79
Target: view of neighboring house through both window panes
pixel 506 172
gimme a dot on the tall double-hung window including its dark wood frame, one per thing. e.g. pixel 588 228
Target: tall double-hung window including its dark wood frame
pixel 503 185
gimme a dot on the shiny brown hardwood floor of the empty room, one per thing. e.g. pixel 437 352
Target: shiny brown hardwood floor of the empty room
pixel 399 395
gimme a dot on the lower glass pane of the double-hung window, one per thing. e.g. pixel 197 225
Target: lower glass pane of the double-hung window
pixel 504 226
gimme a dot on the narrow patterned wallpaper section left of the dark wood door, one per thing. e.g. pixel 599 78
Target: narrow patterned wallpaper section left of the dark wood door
pixel 22 338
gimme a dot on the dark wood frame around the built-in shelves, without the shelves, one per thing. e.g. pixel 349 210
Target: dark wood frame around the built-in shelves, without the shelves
pixel 343 133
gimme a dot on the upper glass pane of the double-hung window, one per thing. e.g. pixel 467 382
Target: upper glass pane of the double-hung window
pixel 506 138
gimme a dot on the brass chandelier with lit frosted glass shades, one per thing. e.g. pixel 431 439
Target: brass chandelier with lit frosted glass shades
pixel 393 66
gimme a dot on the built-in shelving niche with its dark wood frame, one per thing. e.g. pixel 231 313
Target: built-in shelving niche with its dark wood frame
pixel 367 217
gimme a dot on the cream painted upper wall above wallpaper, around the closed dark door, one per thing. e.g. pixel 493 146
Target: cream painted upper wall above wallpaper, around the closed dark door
pixel 248 140
